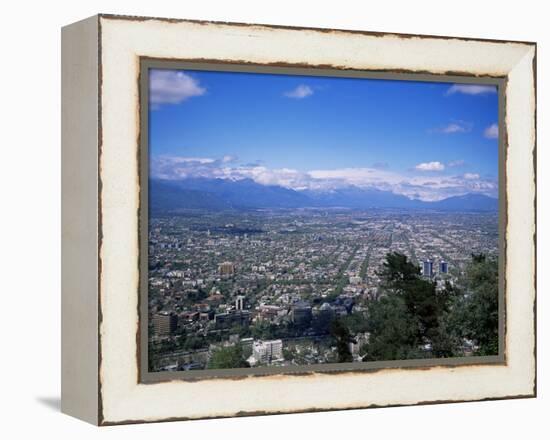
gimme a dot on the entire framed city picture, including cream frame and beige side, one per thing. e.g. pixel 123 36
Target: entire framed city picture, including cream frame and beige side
pixel 262 219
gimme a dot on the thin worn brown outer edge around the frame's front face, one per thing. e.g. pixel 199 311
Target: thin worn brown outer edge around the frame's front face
pixel 103 422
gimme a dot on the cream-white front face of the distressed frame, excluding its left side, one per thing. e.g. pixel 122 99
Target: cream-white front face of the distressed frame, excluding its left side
pixel 123 398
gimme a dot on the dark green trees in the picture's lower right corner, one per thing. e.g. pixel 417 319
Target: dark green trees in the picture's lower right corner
pixel 414 319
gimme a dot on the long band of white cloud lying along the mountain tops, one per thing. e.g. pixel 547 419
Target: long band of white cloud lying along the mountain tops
pixel 425 187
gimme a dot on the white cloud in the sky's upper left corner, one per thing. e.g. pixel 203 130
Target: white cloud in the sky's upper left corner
pixel 172 87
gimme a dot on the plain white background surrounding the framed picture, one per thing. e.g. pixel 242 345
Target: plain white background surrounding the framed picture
pixel 31 217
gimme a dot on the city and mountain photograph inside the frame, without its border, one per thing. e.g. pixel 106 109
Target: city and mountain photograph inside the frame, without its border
pixel 305 220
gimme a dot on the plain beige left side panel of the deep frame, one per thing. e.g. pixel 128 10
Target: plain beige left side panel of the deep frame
pixel 79 135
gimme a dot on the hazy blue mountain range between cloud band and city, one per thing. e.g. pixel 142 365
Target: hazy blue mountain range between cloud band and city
pixel 225 194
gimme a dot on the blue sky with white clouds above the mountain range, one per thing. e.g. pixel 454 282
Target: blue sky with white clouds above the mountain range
pixel 422 139
